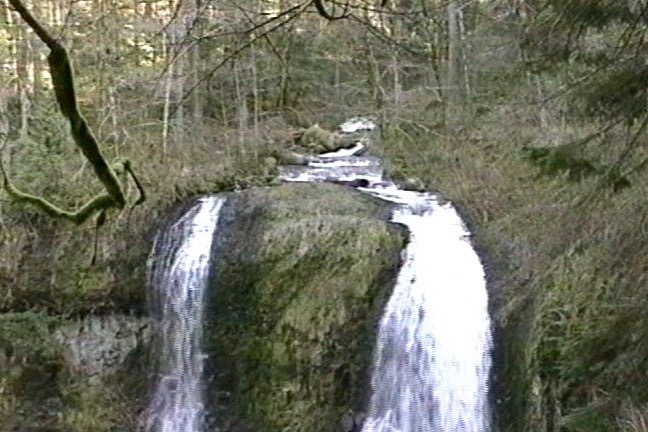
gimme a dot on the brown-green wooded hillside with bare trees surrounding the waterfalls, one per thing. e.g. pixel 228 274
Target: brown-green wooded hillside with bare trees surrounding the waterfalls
pixel 529 115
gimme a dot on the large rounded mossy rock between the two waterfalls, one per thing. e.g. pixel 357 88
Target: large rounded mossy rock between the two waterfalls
pixel 303 273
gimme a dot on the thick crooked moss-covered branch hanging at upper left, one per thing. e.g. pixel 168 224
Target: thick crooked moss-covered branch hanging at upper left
pixel 63 82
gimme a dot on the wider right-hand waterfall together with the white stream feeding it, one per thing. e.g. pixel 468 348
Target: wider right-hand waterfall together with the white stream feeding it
pixel 433 355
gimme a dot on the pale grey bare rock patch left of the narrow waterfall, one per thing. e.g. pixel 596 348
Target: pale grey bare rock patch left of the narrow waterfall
pixel 97 346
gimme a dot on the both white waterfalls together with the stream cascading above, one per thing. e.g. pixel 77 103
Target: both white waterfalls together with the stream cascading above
pixel 433 354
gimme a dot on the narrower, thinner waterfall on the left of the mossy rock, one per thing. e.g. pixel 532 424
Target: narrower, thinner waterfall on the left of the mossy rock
pixel 178 272
